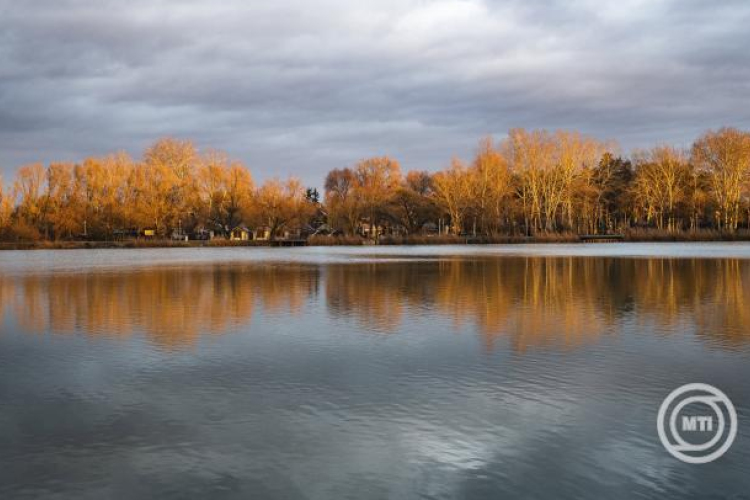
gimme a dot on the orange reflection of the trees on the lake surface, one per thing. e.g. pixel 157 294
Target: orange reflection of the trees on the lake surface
pixel 531 301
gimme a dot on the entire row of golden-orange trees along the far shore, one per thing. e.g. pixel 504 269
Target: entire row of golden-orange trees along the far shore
pixel 529 183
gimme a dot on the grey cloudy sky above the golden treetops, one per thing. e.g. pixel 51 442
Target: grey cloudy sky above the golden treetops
pixel 302 87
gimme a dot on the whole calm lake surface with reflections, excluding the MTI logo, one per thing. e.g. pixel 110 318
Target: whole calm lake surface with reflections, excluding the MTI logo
pixel 446 372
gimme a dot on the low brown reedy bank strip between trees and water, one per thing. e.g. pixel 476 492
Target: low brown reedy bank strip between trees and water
pixel 632 236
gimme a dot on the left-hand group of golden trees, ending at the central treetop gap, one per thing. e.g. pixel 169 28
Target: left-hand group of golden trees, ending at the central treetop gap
pixel 173 189
